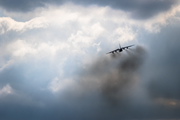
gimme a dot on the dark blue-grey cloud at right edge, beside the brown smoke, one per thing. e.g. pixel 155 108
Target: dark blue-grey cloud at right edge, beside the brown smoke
pixel 163 65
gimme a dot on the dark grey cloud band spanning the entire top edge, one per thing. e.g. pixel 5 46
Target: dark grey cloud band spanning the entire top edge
pixel 140 9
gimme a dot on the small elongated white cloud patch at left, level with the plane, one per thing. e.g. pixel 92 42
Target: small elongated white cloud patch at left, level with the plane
pixel 22 48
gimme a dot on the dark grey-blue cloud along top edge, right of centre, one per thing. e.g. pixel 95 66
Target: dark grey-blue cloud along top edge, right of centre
pixel 139 9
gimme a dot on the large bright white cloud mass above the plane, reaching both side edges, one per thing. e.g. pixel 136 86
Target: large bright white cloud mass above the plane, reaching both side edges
pixel 74 29
